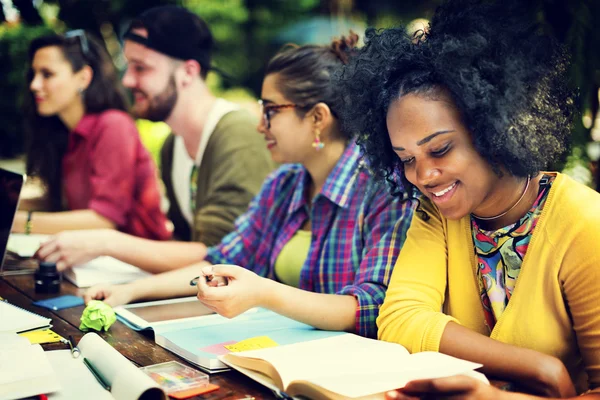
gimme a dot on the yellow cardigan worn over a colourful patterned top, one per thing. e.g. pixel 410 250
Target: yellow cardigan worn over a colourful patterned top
pixel 554 308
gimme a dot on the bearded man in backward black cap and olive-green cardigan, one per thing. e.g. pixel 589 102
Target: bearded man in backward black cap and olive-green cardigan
pixel 212 164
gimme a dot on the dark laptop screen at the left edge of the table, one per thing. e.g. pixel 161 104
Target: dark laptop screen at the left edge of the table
pixel 11 184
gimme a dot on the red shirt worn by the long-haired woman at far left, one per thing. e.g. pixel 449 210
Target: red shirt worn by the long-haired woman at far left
pixel 107 169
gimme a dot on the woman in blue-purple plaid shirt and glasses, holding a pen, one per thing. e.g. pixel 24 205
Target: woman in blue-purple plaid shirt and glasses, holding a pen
pixel 318 241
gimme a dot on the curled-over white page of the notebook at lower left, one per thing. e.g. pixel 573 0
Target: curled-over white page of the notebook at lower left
pixel 126 380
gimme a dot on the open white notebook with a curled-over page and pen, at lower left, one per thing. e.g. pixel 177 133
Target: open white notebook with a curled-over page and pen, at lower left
pixel 126 381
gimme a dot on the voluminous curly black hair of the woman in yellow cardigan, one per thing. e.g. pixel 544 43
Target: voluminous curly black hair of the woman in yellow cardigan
pixel 507 79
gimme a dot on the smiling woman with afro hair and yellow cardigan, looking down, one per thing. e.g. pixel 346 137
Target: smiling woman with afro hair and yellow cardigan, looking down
pixel 500 264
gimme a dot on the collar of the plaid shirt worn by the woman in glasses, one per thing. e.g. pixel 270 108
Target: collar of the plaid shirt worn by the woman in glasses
pixel 339 184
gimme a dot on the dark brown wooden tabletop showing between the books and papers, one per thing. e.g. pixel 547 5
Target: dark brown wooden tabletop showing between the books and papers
pixel 135 346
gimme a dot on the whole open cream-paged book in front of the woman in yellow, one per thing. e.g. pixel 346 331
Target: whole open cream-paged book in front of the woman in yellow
pixel 342 367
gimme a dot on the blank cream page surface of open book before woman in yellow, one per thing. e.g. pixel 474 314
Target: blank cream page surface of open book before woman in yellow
pixel 354 366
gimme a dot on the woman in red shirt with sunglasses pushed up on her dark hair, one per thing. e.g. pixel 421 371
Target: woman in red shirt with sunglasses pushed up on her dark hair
pixel 83 146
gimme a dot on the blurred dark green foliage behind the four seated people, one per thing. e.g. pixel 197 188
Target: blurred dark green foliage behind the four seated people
pixel 249 32
